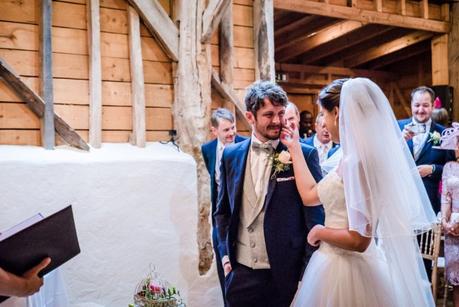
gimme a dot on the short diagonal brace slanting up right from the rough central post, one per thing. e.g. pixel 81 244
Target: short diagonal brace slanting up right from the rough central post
pixel 212 17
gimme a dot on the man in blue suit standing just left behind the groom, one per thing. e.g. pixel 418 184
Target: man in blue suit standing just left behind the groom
pixel 223 127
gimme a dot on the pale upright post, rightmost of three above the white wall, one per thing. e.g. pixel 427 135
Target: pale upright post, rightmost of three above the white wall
pixel 137 82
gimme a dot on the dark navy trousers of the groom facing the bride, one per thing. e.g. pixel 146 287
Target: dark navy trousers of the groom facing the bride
pixel 246 287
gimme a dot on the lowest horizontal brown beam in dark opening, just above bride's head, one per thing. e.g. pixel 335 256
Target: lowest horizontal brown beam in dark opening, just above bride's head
pixel 310 69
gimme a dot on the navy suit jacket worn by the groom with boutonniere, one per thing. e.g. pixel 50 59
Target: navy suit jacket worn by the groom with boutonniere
pixel 286 221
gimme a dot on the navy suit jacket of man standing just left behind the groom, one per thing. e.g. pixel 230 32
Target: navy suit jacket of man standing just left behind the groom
pixel 209 153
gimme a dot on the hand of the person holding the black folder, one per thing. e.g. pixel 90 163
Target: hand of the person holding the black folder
pixel 25 285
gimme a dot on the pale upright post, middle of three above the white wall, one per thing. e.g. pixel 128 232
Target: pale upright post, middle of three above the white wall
pixel 95 75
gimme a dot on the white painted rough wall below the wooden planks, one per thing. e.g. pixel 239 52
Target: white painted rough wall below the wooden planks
pixel 133 207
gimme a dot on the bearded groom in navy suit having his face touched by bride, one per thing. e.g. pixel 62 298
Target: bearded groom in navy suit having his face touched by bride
pixel 261 222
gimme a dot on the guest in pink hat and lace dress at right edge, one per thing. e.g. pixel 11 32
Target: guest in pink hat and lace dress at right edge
pixel 450 210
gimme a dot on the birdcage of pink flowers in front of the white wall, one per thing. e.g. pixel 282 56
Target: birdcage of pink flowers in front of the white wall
pixel 155 292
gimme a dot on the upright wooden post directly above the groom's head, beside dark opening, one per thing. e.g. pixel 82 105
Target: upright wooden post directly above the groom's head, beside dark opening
pixel 263 27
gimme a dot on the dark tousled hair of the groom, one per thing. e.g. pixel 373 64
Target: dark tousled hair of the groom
pixel 258 91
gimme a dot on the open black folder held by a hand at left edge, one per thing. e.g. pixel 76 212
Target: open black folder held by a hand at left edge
pixel 54 236
